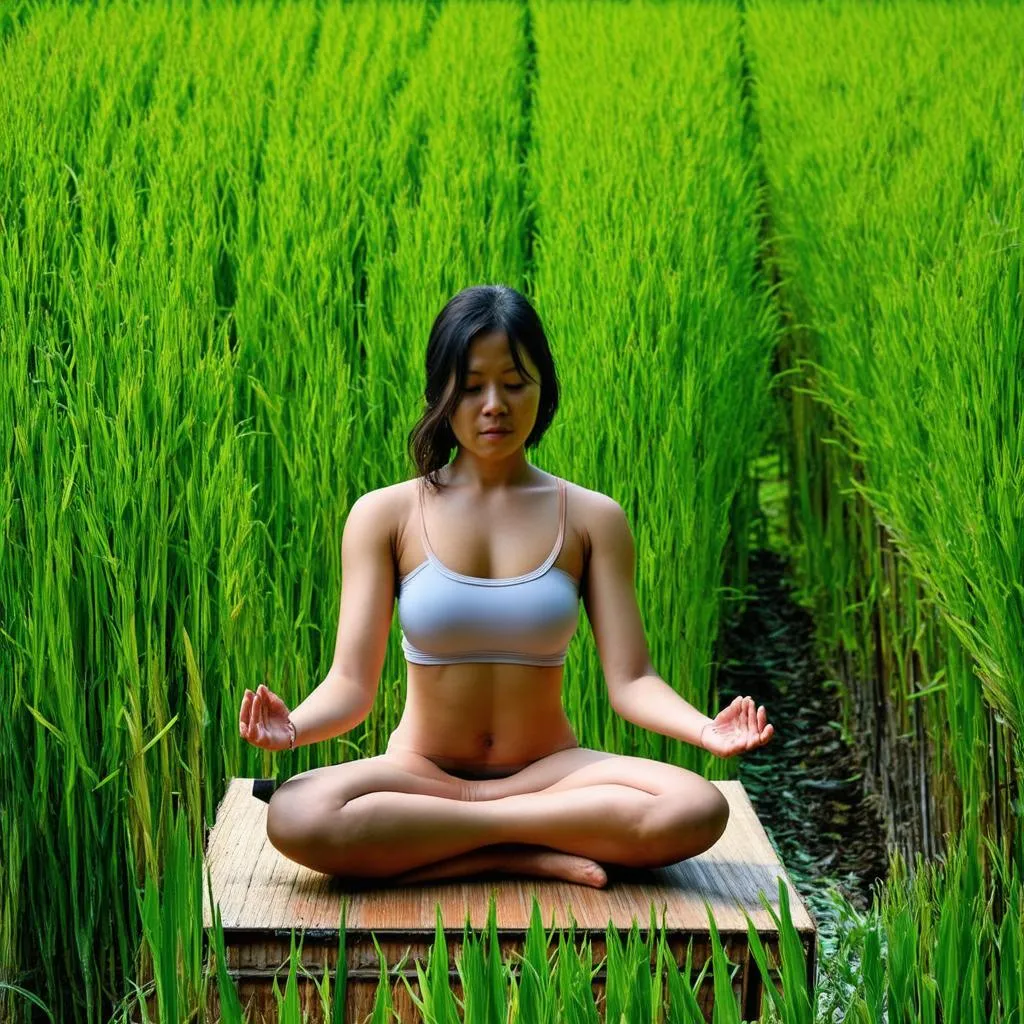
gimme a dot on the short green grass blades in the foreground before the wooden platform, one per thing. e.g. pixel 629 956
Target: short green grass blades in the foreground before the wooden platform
pixel 927 950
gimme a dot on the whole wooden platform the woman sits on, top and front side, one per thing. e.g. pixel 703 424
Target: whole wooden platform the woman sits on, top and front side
pixel 264 897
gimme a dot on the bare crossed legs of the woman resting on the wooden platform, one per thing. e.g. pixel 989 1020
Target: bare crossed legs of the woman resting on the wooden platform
pixel 401 817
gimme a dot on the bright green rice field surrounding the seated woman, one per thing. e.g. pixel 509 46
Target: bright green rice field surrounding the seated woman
pixel 776 234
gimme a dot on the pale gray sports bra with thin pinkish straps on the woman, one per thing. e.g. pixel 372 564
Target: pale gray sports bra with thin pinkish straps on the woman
pixel 449 619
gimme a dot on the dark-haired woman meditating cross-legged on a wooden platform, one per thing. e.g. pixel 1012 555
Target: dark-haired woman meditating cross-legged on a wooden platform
pixel 484 773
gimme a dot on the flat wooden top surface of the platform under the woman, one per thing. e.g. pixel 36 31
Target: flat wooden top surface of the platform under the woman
pixel 260 889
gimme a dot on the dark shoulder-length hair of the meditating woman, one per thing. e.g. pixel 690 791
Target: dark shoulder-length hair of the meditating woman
pixel 477 311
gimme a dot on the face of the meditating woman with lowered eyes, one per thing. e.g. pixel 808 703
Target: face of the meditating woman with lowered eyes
pixel 496 396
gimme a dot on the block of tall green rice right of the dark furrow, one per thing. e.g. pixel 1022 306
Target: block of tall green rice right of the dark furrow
pixel 897 200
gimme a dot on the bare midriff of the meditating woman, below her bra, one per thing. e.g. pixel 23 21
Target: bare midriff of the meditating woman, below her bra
pixel 487 720
